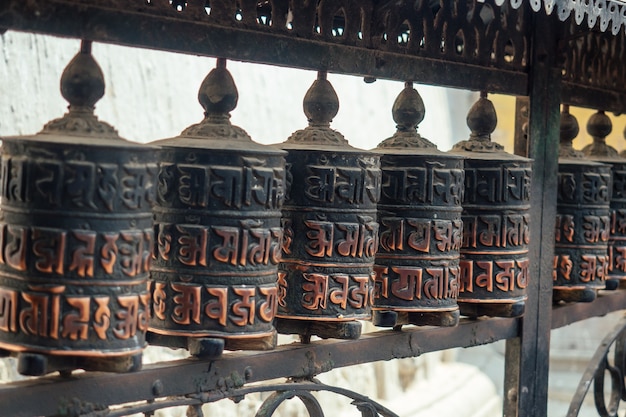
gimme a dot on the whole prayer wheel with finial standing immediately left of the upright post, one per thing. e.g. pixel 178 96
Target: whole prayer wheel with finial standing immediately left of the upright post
pixel 496 201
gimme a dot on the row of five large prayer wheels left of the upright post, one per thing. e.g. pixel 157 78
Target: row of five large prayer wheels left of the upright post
pixel 210 241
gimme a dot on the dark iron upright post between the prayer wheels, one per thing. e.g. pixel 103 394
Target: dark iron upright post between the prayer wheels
pixel 530 354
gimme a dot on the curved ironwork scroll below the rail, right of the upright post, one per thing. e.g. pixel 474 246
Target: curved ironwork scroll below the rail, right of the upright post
pixel 609 360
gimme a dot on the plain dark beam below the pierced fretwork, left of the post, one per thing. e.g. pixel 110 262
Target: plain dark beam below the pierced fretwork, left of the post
pixel 125 27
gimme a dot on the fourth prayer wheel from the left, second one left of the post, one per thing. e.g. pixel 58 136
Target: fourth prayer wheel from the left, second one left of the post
pixel 419 212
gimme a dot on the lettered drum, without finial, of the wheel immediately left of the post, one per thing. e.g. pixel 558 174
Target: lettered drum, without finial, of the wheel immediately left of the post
pixel 496 230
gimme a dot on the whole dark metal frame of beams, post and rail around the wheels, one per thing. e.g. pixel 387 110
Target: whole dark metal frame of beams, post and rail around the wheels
pixel 543 69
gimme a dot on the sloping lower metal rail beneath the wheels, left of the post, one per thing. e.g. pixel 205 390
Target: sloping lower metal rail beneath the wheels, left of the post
pixel 217 377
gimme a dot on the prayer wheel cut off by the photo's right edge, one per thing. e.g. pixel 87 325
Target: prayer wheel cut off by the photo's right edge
pixel 599 126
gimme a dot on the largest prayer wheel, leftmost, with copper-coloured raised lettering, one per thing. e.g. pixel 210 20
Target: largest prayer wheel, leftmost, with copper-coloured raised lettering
pixel 75 238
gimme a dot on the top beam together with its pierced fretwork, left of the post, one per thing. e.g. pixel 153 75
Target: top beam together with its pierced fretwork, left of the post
pixel 339 46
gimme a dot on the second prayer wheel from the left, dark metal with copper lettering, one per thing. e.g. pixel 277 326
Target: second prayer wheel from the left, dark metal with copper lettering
pixel 218 232
